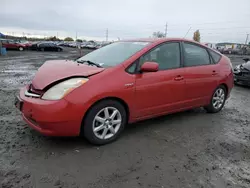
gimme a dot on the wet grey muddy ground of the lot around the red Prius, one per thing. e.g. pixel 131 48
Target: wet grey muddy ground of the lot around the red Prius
pixel 188 149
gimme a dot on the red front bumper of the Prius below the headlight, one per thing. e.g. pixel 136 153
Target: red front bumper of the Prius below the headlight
pixel 51 118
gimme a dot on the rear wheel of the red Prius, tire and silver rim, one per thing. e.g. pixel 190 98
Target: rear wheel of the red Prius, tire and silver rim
pixel 214 107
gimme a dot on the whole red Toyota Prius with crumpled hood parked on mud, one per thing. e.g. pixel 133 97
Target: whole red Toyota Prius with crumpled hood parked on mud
pixel 127 81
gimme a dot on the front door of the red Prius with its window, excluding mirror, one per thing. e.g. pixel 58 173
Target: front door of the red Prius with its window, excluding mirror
pixel 162 91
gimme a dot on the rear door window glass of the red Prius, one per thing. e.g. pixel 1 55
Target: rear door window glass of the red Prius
pixel 195 55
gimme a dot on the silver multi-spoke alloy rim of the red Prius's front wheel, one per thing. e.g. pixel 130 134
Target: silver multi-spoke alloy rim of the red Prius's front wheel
pixel 107 123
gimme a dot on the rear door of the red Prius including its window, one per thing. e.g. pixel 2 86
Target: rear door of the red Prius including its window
pixel 201 74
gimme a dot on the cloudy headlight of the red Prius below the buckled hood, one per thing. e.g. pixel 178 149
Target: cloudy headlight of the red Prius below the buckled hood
pixel 63 88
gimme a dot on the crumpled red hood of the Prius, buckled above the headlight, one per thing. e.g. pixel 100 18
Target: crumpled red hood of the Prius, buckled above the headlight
pixel 55 70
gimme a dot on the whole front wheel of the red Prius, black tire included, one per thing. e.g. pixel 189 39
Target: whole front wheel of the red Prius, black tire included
pixel 90 122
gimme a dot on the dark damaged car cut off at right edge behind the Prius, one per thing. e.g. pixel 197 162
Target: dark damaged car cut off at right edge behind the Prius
pixel 242 73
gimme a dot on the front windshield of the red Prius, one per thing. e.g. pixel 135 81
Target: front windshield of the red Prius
pixel 114 54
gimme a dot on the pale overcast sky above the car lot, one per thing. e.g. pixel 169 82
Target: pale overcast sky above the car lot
pixel 217 20
